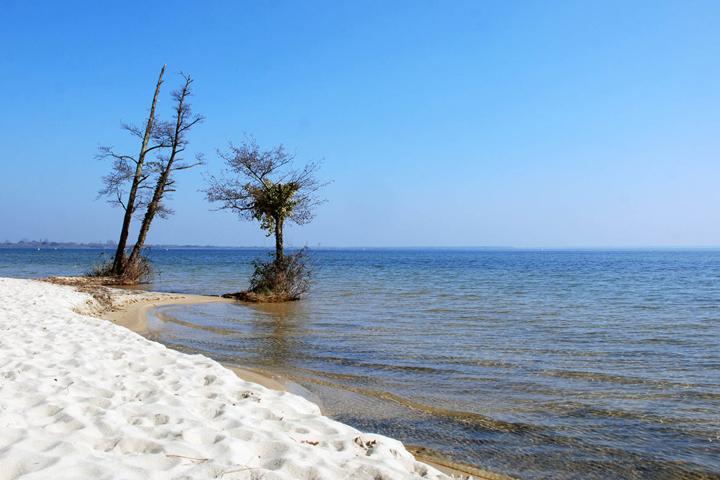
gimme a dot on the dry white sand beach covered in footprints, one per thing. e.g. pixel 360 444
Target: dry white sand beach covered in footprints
pixel 81 397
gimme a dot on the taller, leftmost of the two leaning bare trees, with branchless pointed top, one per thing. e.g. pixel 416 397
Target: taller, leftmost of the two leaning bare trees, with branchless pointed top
pixel 126 168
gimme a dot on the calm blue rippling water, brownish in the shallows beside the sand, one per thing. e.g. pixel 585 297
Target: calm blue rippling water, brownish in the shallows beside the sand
pixel 562 364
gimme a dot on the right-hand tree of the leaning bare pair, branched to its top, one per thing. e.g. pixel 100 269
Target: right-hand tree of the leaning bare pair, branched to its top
pixel 174 135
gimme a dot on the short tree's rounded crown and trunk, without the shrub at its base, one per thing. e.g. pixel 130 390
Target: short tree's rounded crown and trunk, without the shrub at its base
pixel 263 187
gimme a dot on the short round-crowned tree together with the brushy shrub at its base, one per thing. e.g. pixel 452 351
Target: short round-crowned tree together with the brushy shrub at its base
pixel 261 185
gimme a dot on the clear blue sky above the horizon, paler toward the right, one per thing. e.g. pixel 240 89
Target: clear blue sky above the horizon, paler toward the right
pixel 438 123
